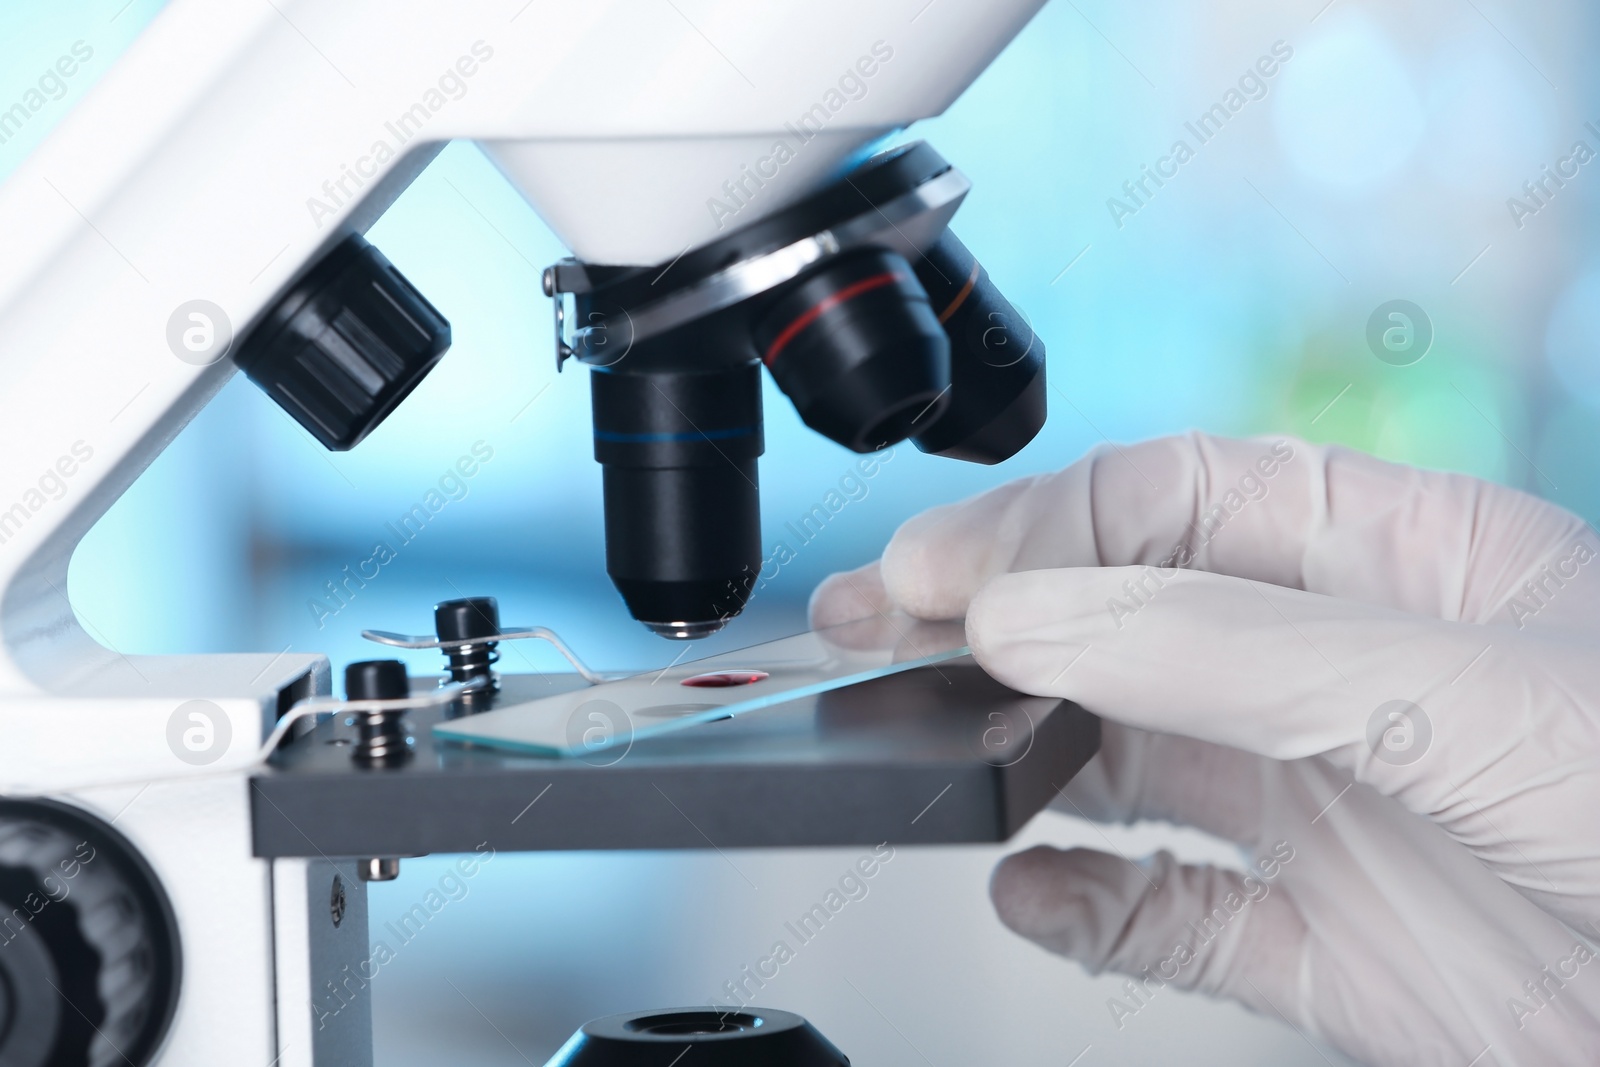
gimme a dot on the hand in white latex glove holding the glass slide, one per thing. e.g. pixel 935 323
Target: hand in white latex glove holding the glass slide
pixel 1383 684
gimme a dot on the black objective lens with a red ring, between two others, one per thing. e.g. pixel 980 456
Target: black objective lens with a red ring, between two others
pixel 860 351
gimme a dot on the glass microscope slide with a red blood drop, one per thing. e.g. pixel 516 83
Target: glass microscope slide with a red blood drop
pixel 596 721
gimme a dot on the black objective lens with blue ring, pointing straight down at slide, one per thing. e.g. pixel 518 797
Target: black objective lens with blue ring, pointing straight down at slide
pixel 682 510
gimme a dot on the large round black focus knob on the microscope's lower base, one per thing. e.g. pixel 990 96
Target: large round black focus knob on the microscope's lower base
pixel 89 949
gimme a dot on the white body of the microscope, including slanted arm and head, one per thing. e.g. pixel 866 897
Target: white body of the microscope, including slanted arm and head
pixel 223 154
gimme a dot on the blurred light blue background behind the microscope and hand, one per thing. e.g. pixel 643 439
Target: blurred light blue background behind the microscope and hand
pixel 1377 166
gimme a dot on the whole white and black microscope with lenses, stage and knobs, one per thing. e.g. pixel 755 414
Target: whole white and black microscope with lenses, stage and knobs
pixel 183 845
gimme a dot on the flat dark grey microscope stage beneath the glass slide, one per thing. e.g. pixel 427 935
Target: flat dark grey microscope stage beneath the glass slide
pixel 935 756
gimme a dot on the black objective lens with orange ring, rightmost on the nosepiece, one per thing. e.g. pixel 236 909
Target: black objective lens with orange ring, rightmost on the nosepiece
pixel 998 362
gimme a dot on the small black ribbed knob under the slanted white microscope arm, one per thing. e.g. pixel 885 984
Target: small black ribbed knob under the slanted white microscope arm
pixel 346 345
